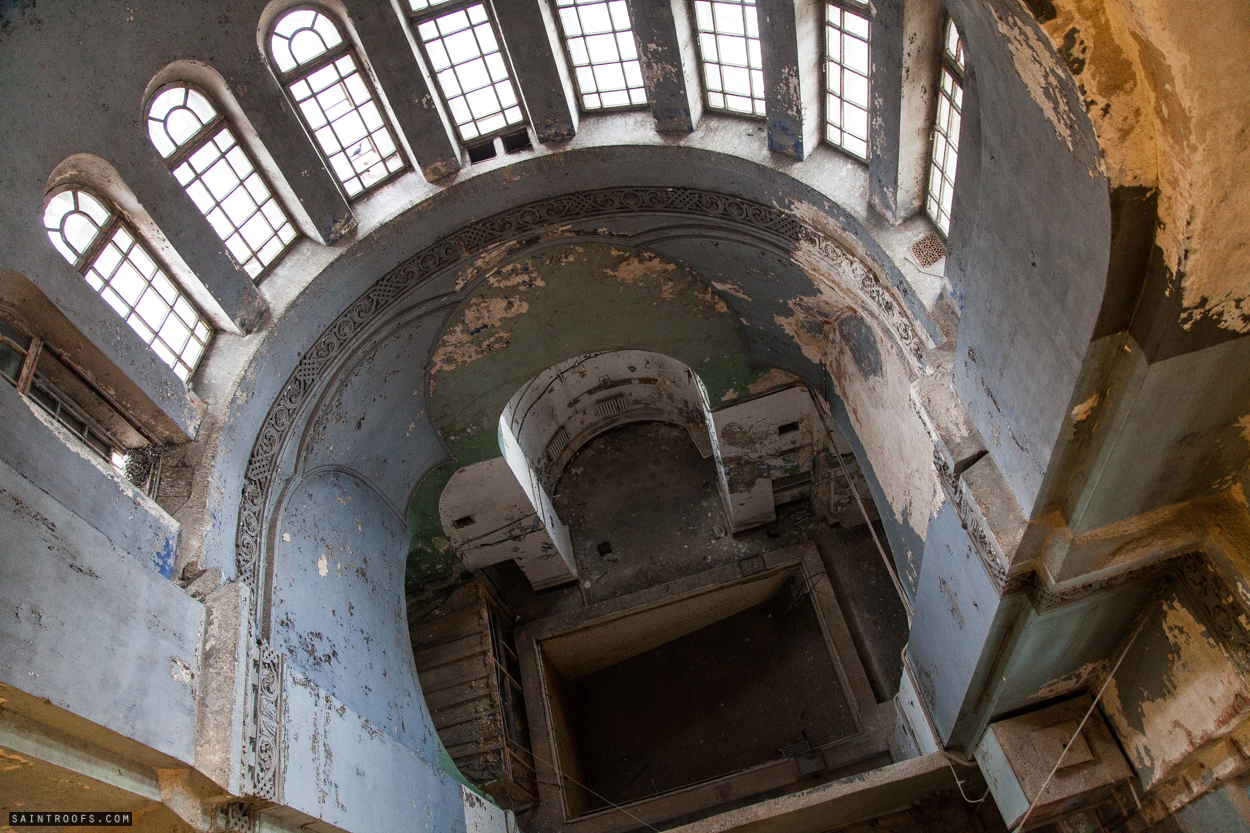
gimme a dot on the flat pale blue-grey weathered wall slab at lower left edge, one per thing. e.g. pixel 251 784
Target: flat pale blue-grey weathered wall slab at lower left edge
pixel 72 636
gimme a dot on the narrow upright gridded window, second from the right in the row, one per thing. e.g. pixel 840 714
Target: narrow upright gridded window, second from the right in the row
pixel 847 72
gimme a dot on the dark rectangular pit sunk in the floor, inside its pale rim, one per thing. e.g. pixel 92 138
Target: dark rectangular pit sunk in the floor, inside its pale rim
pixel 739 694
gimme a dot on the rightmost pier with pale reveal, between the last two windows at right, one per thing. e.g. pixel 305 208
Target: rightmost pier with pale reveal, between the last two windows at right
pixel 906 48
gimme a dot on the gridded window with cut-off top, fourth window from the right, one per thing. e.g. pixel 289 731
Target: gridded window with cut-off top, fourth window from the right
pixel 599 41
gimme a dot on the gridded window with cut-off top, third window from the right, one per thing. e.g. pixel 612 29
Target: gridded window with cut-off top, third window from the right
pixel 729 44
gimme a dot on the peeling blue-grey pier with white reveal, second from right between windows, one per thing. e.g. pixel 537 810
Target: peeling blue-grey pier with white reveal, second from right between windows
pixel 792 37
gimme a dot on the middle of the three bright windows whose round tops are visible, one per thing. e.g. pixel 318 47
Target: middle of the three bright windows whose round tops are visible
pixel 219 177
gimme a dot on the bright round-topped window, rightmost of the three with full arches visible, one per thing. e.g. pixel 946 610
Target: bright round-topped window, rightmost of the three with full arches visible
pixel 322 73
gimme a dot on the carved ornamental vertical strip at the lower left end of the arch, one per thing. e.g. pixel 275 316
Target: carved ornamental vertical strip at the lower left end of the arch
pixel 263 725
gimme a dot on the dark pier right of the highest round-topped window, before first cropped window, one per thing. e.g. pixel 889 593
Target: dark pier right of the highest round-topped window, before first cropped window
pixel 418 118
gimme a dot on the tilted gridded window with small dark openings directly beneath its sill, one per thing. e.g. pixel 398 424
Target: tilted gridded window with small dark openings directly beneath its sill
pixel 463 49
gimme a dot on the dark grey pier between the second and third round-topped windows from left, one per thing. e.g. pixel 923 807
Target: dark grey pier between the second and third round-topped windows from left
pixel 307 182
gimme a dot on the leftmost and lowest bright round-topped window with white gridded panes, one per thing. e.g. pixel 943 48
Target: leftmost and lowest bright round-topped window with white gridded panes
pixel 118 266
